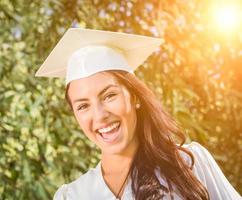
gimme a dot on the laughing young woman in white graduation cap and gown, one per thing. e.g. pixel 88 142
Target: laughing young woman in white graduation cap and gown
pixel 140 156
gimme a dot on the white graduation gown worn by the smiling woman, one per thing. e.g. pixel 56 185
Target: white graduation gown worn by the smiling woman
pixel 91 185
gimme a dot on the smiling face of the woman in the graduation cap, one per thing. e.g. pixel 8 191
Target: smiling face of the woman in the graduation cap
pixel 105 112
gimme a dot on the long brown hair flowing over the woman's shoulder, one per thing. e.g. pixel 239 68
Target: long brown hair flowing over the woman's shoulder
pixel 158 149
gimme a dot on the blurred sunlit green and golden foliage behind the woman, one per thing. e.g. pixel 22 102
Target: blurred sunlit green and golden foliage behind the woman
pixel 196 73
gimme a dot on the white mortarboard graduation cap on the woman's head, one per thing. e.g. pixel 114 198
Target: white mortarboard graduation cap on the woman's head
pixel 83 52
